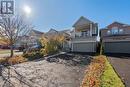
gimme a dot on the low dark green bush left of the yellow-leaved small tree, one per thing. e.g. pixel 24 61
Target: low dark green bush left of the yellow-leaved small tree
pixel 33 55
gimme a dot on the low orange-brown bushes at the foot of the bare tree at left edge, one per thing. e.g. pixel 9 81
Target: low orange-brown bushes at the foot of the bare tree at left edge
pixel 13 60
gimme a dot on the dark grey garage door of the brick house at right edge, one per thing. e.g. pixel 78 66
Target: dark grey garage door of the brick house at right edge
pixel 117 47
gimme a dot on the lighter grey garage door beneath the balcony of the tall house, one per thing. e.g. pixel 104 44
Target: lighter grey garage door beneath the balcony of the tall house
pixel 84 47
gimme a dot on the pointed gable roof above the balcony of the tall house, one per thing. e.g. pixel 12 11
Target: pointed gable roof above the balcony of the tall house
pixel 81 21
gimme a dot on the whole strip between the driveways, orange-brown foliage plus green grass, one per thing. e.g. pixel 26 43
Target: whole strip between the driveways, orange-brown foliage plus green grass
pixel 100 73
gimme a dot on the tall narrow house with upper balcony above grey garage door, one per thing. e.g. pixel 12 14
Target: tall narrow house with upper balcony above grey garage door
pixel 84 36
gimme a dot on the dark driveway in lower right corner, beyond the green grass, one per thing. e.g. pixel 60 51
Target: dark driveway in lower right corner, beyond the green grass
pixel 122 67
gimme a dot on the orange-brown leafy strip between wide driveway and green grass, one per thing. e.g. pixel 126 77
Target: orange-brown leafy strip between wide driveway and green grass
pixel 94 72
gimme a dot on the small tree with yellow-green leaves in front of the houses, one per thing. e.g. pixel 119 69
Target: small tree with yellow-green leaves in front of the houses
pixel 52 44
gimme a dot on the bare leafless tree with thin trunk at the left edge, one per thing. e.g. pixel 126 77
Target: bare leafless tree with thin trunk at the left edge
pixel 12 28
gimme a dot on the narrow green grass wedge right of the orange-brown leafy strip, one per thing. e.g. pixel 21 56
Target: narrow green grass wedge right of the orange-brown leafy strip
pixel 109 77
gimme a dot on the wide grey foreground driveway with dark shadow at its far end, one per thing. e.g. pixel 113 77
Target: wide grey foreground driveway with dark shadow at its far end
pixel 66 70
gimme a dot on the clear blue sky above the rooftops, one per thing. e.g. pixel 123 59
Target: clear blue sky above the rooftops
pixel 62 14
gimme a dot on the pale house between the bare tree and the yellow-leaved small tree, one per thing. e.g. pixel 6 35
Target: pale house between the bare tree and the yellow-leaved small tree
pixel 29 40
